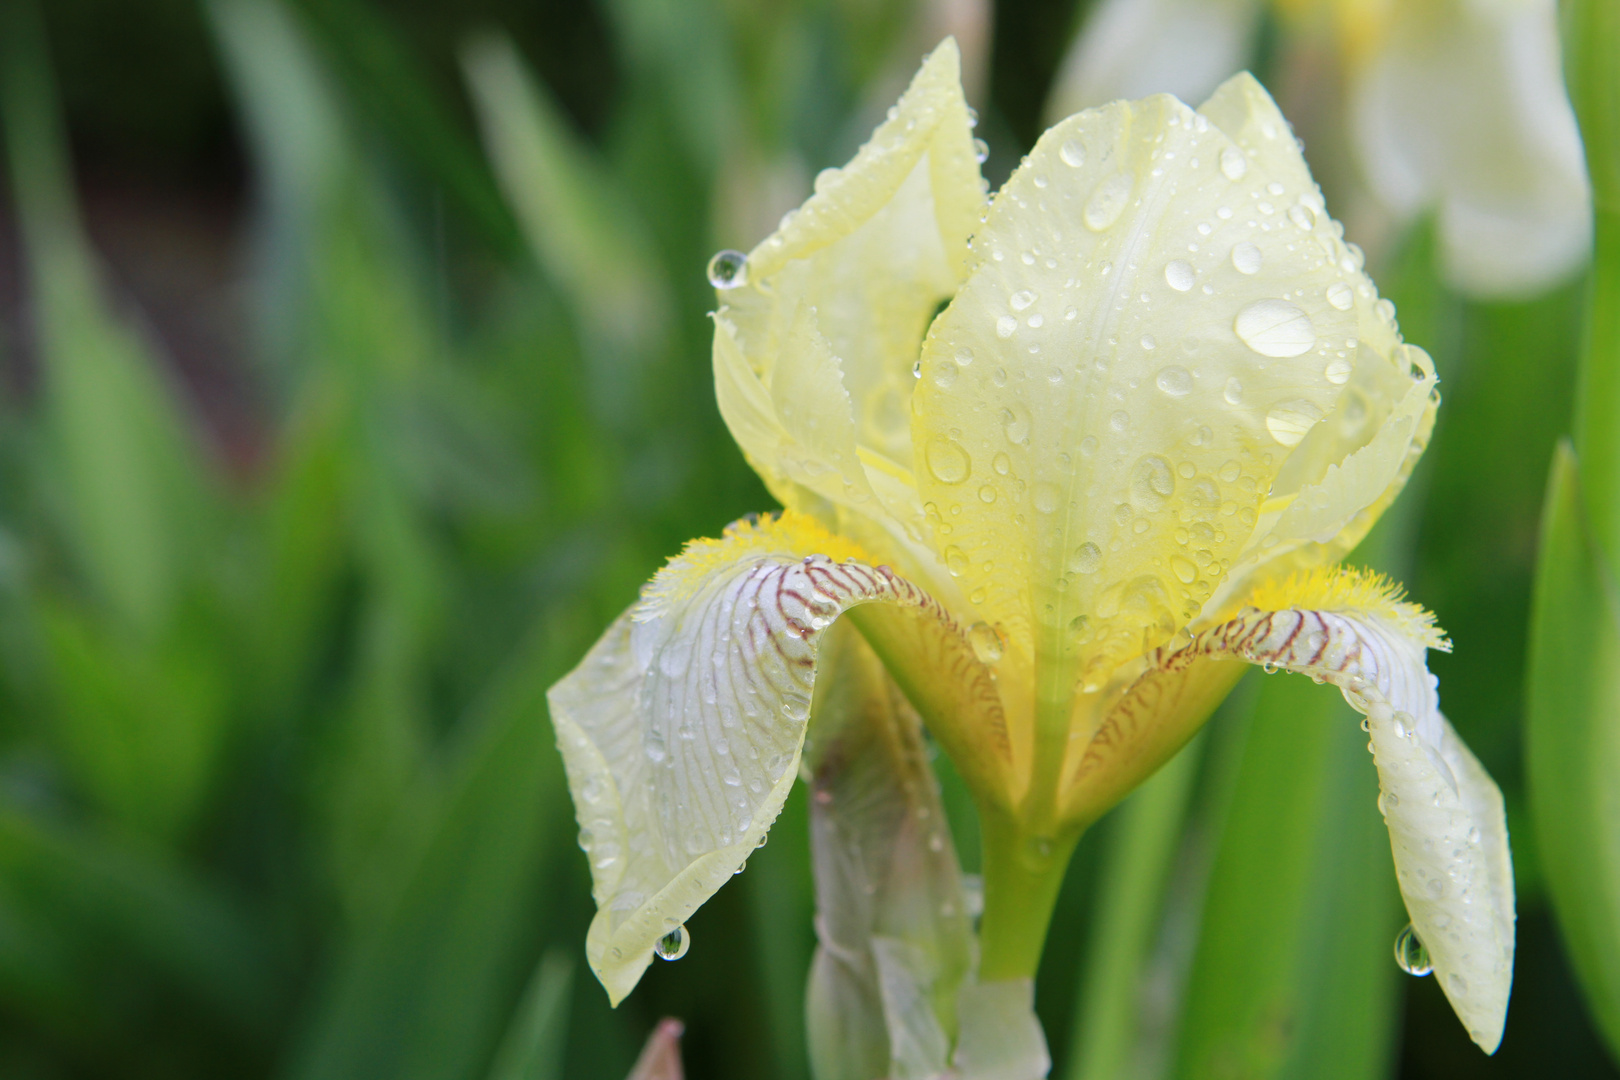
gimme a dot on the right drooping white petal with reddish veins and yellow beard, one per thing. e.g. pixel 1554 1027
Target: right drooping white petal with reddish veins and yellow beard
pixel 1446 815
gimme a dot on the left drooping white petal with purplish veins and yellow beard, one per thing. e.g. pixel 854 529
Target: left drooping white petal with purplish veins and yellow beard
pixel 683 728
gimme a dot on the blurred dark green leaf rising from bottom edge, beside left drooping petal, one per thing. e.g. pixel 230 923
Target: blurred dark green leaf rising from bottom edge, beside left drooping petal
pixel 419 989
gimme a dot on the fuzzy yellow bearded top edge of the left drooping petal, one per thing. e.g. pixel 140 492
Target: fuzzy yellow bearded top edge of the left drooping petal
pixel 788 534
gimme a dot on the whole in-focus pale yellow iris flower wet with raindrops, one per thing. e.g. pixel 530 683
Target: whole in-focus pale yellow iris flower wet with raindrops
pixel 1122 462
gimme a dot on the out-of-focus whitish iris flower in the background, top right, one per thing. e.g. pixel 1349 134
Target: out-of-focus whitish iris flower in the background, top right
pixel 1454 108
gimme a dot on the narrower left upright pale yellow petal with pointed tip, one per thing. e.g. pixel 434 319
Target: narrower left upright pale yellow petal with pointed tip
pixel 814 354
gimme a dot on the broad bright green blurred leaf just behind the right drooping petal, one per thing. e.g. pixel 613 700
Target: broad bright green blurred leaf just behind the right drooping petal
pixel 1294 974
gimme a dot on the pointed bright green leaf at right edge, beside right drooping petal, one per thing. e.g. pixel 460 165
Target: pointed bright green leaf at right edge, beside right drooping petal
pixel 1572 741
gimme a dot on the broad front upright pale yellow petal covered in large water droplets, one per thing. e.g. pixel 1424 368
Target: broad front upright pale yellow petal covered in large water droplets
pixel 1162 315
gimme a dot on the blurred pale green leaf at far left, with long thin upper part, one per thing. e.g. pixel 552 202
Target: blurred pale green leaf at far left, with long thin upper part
pixel 122 464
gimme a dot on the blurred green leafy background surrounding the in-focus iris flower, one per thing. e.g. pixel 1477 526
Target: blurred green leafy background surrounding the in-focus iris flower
pixel 354 375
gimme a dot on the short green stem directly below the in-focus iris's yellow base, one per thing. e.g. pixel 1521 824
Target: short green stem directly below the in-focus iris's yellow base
pixel 1023 875
